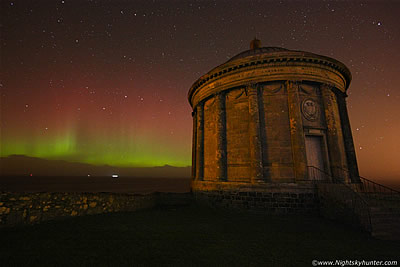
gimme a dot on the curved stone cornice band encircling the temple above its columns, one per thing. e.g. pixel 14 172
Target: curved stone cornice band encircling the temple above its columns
pixel 272 66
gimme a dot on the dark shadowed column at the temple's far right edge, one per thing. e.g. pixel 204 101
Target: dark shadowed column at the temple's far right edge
pixel 348 139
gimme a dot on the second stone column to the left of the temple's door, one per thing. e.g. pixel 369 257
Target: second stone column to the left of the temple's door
pixel 256 170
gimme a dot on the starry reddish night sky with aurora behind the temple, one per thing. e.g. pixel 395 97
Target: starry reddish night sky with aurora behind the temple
pixel 106 82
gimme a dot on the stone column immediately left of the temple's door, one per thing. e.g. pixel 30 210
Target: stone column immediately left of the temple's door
pixel 296 132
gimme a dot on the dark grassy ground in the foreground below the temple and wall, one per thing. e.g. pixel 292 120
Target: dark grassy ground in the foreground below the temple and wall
pixel 188 236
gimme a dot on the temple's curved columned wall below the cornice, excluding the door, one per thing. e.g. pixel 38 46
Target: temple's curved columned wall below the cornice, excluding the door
pixel 265 125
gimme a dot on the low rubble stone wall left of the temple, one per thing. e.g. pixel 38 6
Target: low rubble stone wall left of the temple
pixel 30 208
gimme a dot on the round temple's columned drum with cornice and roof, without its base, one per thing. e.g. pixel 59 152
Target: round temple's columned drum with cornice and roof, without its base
pixel 268 114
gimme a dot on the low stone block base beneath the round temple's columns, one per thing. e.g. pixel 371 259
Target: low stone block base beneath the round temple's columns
pixel 271 198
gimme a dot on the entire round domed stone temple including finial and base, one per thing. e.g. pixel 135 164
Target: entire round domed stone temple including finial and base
pixel 271 133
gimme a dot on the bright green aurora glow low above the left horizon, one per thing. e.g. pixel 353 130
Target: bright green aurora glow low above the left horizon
pixel 141 152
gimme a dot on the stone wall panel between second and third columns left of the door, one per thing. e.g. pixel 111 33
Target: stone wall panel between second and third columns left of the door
pixel 237 135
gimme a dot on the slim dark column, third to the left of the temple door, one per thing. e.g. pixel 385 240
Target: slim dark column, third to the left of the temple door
pixel 221 137
